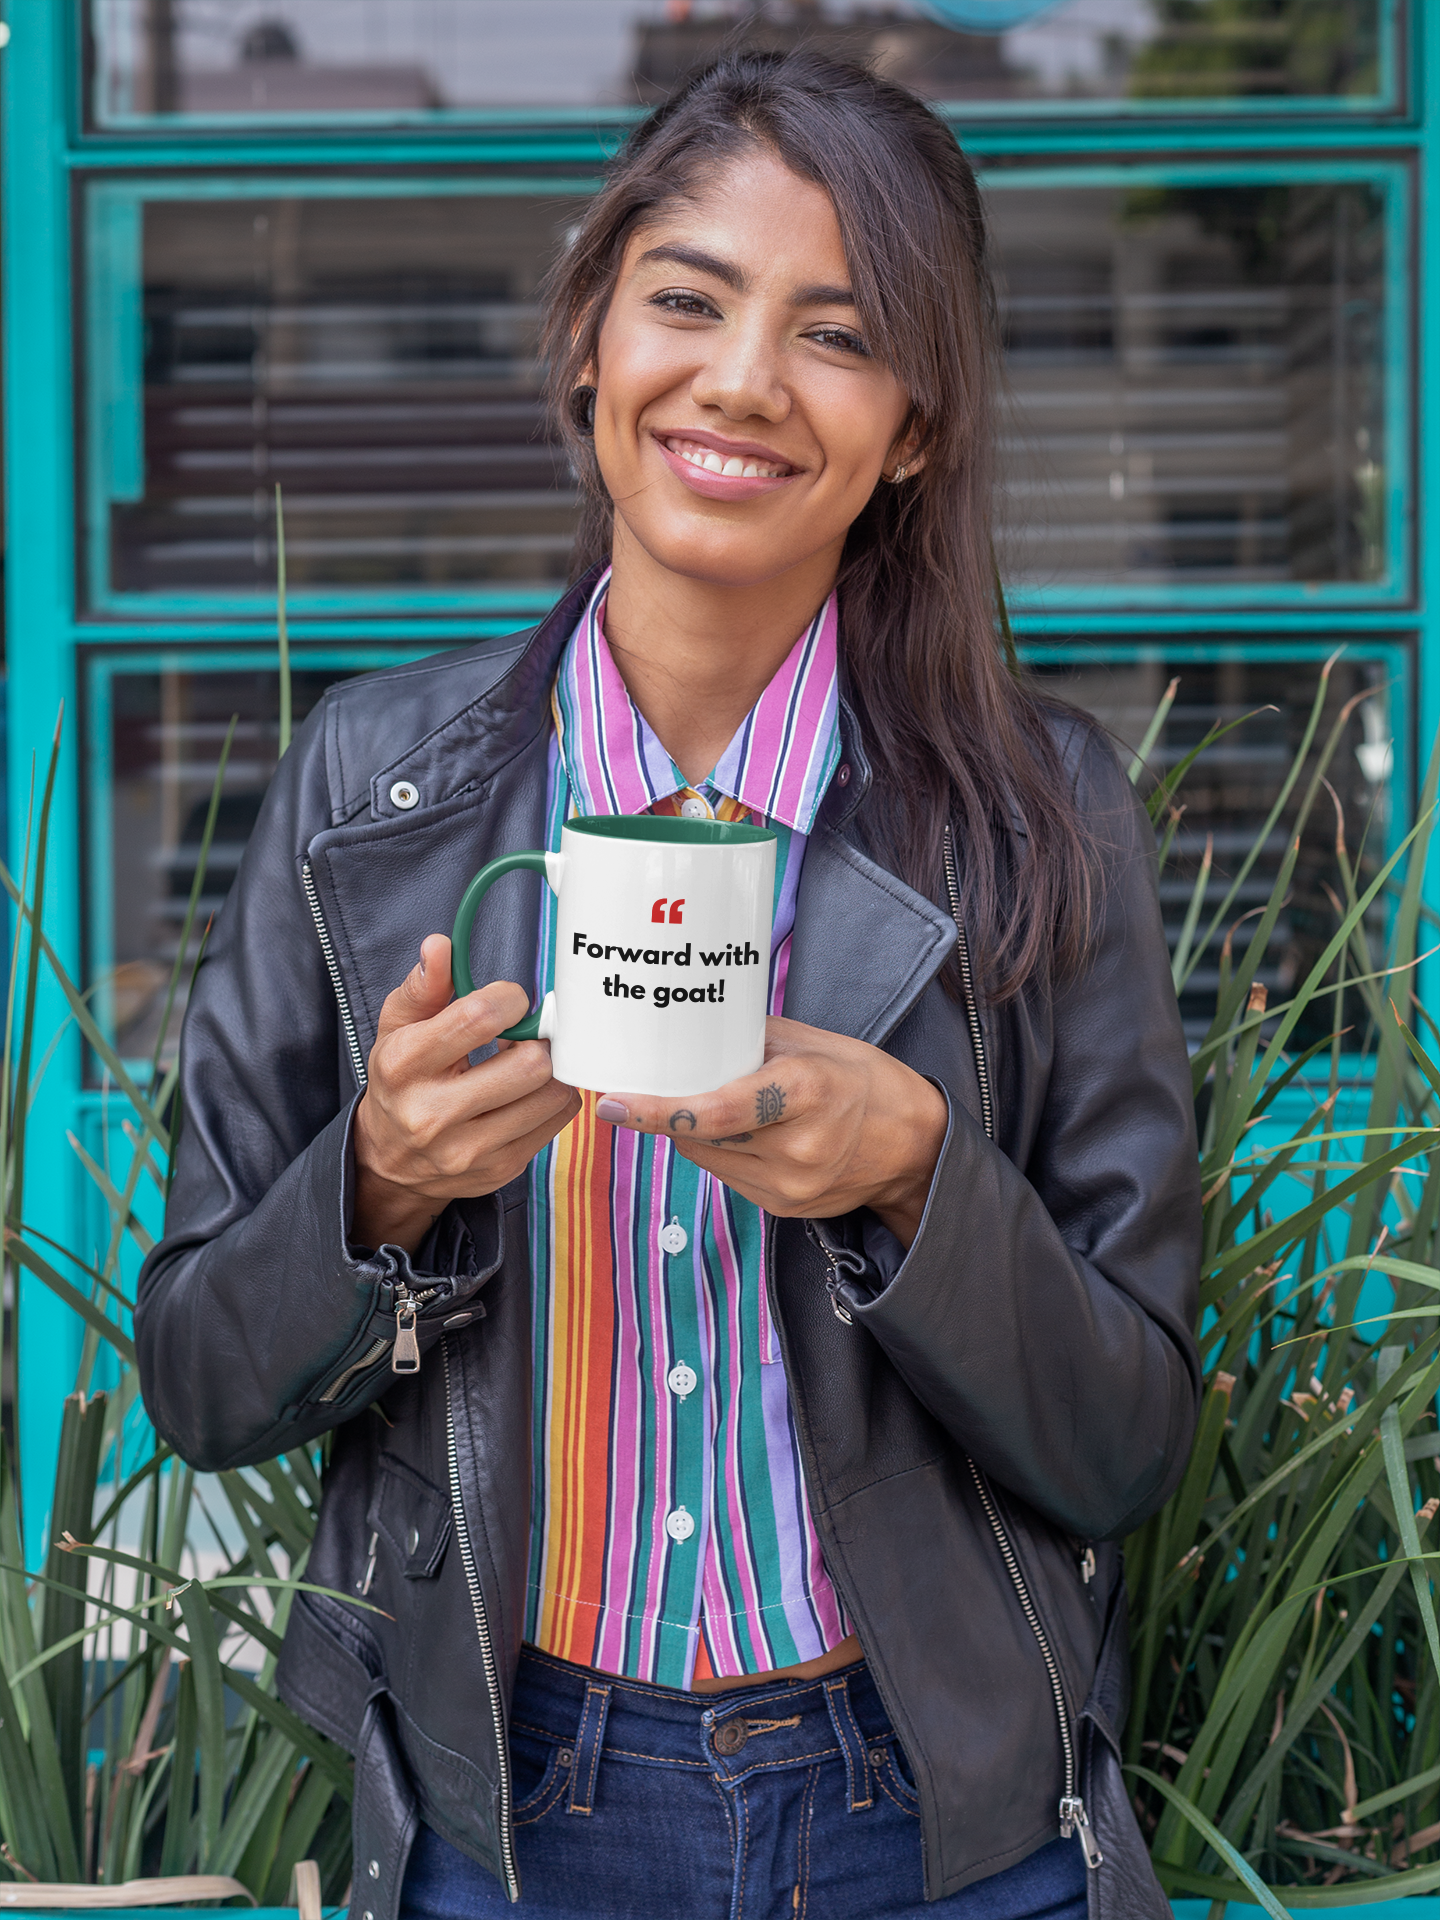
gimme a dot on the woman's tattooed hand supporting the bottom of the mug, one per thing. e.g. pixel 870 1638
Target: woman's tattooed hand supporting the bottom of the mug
pixel 827 1126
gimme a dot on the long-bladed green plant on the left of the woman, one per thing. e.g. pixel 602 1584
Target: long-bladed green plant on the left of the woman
pixel 139 1725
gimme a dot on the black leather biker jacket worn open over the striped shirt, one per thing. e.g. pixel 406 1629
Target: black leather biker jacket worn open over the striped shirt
pixel 997 1406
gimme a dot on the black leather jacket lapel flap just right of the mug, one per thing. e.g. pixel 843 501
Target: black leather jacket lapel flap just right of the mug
pixel 865 946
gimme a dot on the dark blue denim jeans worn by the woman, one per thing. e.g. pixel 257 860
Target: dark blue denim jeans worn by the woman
pixel 757 1804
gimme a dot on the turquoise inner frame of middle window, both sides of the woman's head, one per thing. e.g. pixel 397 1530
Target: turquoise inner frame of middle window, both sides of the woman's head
pixel 114 420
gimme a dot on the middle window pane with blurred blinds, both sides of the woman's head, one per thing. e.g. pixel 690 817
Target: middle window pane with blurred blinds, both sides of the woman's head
pixel 1199 377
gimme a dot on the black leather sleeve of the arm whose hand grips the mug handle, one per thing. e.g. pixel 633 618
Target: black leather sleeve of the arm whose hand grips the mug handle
pixel 254 1303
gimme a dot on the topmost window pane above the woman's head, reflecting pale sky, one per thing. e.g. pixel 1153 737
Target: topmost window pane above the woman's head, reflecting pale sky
pixel 427 59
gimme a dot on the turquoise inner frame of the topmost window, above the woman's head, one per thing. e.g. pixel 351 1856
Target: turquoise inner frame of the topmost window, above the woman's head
pixel 1387 101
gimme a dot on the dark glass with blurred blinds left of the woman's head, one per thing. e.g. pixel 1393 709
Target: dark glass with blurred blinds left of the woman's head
pixel 373 356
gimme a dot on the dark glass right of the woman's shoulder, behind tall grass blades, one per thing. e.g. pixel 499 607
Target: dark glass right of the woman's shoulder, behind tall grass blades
pixel 1230 792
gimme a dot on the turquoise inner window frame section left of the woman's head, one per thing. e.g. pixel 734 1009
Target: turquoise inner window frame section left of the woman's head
pixel 114 398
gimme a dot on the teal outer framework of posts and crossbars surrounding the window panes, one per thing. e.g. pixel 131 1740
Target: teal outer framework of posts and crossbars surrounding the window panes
pixel 47 158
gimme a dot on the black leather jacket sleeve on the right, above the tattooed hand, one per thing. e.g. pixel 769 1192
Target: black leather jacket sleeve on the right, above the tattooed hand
pixel 1045 1312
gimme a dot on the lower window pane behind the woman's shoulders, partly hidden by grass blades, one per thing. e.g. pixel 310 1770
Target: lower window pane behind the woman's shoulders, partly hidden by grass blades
pixel 156 727
